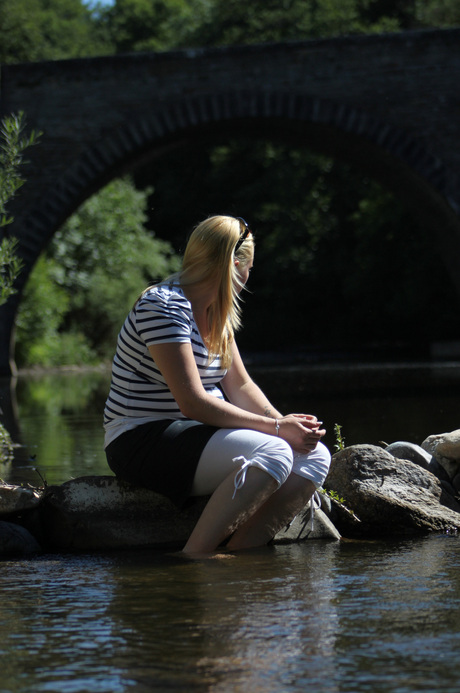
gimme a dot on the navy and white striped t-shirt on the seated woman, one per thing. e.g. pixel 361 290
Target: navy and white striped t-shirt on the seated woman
pixel 138 391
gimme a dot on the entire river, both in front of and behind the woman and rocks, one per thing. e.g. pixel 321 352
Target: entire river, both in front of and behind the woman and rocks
pixel 349 617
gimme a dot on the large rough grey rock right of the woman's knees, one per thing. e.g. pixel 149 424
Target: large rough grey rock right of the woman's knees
pixel 391 497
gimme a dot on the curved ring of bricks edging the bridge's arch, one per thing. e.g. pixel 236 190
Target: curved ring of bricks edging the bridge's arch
pixel 124 147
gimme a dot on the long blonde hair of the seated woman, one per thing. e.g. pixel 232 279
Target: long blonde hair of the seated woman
pixel 209 259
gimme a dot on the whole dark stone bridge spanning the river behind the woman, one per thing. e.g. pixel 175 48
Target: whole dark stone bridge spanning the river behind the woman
pixel 389 104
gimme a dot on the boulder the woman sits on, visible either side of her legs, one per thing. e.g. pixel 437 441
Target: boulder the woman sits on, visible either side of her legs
pixel 101 512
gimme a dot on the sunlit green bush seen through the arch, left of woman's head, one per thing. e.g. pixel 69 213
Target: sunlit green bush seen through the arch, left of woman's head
pixel 83 286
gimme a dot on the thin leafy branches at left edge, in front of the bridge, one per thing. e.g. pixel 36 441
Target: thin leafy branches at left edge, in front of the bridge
pixel 13 144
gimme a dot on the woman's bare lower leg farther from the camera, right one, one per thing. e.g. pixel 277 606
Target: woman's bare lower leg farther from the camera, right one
pixel 277 511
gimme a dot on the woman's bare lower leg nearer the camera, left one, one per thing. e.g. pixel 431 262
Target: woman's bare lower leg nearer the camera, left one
pixel 223 514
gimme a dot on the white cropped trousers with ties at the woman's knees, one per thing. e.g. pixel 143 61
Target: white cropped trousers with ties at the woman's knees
pixel 238 449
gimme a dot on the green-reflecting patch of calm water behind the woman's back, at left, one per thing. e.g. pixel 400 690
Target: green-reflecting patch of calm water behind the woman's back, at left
pixel 56 419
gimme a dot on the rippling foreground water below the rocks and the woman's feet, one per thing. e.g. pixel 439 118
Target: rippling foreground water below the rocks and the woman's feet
pixel 341 617
